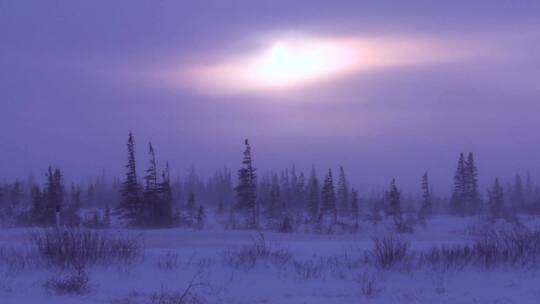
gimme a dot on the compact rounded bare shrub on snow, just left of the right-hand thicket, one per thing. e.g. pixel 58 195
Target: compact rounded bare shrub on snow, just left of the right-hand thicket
pixel 389 251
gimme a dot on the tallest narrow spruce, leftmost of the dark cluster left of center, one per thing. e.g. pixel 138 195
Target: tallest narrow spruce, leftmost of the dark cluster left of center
pixel 129 209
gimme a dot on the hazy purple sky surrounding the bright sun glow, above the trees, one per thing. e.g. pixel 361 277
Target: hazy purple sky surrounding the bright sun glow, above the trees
pixel 68 95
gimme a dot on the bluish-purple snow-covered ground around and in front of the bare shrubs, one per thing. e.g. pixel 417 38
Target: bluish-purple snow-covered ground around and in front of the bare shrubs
pixel 320 269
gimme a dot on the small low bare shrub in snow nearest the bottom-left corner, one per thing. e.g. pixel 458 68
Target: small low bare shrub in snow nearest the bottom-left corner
pixel 71 283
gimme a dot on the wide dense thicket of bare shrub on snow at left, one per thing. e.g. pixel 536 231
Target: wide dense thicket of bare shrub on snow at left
pixel 77 247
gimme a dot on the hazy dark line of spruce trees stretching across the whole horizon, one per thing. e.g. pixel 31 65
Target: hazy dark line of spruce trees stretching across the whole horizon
pixel 282 201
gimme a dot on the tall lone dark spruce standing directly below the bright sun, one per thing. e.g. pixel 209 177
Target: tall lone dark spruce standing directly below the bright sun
pixel 246 195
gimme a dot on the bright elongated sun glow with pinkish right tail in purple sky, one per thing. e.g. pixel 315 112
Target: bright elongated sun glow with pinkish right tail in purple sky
pixel 289 63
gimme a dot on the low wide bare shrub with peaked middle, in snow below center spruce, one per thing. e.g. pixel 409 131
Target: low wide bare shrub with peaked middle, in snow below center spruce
pixel 260 250
